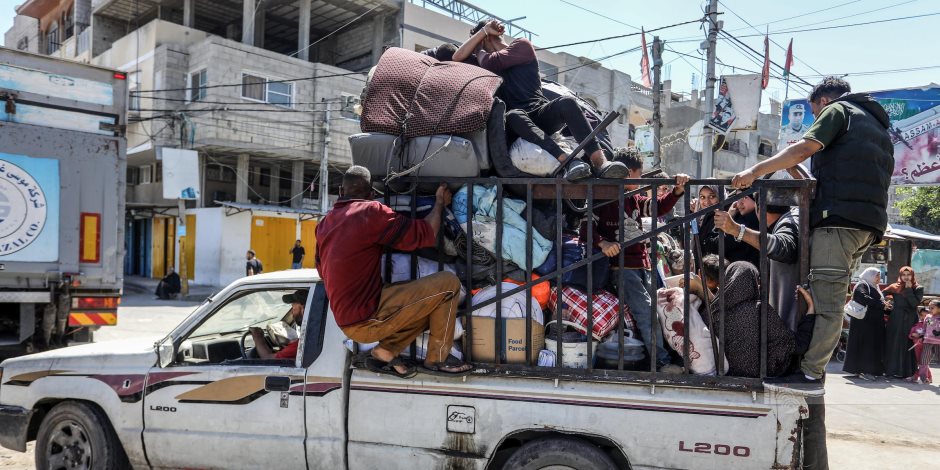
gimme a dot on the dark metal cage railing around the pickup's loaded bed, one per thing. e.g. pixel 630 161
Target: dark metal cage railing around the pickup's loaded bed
pixel 596 193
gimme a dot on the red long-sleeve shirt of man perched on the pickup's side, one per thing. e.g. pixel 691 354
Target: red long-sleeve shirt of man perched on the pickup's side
pixel 350 240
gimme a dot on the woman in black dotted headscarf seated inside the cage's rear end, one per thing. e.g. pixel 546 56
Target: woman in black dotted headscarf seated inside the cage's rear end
pixel 741 294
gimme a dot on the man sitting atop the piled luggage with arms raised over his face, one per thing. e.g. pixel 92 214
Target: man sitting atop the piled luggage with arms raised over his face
pixel 531 116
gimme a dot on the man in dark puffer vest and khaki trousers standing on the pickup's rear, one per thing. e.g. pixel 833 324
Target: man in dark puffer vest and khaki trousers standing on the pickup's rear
pixel 853 160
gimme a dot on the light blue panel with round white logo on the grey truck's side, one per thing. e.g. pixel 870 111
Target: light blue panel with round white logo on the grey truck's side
pixel 29 208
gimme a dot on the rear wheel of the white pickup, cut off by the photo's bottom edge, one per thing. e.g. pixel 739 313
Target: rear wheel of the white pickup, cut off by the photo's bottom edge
pixel 559 452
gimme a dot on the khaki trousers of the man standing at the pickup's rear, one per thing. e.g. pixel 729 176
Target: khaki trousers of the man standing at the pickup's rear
pixel 834 254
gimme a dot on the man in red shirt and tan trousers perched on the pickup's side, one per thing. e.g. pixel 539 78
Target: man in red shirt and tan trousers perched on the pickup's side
pixel 350 241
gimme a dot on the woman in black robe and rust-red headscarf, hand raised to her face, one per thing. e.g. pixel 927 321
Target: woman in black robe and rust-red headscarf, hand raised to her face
pixel 906 295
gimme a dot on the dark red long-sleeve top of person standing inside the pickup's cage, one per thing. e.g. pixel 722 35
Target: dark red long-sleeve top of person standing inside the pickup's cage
pixel 607 220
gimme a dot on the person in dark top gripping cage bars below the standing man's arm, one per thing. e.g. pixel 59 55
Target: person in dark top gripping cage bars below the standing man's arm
pixel 783 252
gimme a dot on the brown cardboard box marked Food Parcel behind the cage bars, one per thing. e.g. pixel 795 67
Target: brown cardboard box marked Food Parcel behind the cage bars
pixel 513 347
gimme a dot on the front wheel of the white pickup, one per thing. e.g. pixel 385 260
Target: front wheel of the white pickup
pixel 79 433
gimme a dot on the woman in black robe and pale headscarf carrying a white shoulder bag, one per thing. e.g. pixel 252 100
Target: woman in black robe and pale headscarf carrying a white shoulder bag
pixel 865 352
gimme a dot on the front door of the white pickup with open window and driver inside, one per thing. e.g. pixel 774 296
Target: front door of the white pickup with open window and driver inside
pixel 213 408
